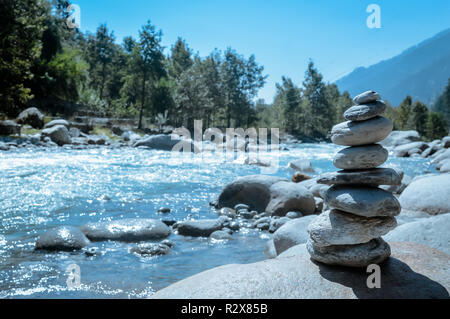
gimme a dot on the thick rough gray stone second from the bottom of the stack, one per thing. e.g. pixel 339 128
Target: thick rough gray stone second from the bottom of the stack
pixel 339 228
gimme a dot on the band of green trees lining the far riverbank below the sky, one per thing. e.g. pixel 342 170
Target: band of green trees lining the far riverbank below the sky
pixel 63 72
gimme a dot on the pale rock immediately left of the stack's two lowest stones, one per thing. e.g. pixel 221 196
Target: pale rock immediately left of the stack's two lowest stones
pixel 292 233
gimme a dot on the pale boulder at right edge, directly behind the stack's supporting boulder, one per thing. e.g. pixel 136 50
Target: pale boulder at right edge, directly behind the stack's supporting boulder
pixel 432 232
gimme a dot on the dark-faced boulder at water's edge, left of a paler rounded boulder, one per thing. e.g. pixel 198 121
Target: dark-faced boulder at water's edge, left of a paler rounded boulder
pixel 253 190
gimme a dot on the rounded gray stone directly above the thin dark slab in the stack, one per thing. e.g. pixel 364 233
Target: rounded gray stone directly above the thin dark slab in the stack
pixel 361 157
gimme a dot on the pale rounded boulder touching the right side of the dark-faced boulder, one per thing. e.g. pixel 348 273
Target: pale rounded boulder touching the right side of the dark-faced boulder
pixel 289 196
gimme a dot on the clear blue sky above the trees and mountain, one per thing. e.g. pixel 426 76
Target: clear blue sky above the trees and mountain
pixel 282 34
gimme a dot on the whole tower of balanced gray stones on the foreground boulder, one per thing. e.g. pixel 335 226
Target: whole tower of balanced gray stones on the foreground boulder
pixel 349 234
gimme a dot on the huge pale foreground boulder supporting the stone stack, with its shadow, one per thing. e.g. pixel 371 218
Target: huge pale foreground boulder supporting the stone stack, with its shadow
pixel 413 271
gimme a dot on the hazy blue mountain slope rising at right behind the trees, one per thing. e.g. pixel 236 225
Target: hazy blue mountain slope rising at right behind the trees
pixel 421 71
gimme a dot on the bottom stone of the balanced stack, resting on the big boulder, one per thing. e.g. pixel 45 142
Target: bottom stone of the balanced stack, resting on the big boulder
pixel 361 255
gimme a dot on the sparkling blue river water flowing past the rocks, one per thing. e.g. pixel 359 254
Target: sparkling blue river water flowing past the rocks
pixel 43 188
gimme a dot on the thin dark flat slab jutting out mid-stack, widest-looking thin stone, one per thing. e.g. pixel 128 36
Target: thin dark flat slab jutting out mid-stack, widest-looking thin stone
pixel 375 176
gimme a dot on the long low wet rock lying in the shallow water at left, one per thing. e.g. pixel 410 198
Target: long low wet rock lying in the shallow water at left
pixel 127 230
